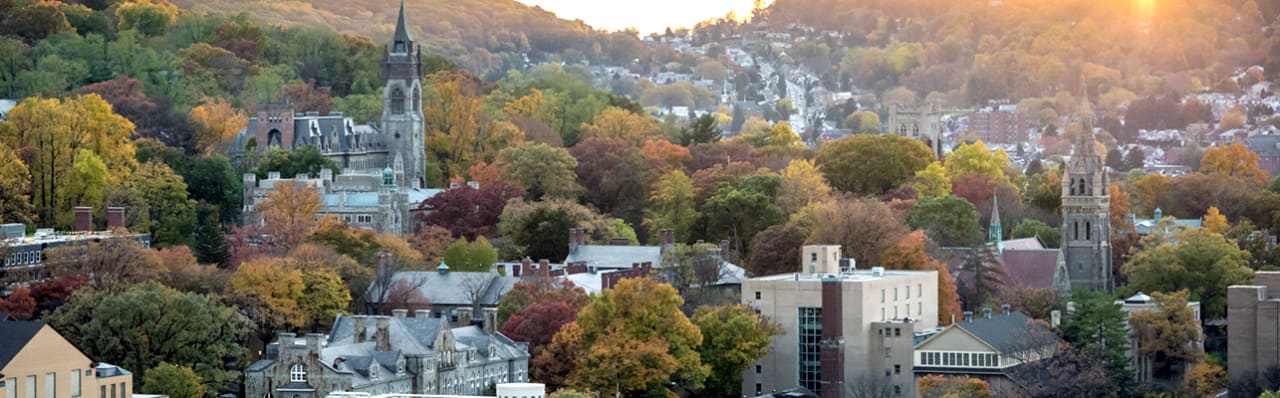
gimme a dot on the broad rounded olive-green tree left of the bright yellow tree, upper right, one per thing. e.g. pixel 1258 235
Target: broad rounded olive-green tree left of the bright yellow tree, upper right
pixel 870 164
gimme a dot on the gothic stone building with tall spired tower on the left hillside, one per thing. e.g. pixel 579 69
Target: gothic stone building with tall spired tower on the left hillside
pixel 385 168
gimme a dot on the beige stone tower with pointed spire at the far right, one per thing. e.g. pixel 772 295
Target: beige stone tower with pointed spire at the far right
pixel 1087 214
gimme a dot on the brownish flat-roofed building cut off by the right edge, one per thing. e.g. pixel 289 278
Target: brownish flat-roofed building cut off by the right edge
pixel 1252 319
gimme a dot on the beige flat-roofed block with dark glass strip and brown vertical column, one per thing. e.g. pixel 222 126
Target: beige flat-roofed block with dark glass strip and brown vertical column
pixel 845 330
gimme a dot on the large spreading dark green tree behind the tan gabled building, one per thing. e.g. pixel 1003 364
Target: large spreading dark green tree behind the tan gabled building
pixel 149 324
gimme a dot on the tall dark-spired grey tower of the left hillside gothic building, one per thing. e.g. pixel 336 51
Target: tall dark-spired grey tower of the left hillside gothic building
pixel 403 106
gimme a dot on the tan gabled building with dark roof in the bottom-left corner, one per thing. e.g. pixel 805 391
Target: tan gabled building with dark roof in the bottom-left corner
pixel 38 363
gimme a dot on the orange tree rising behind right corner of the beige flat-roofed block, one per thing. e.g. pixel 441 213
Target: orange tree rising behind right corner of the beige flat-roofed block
pixel 909 254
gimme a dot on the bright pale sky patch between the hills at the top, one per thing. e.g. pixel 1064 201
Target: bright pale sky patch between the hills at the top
pixel 647 16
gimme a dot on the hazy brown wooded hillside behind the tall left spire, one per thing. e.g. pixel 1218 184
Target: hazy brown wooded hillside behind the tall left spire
pixel 476 33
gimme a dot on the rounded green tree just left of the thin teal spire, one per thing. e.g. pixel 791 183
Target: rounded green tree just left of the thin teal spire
pixel 950 221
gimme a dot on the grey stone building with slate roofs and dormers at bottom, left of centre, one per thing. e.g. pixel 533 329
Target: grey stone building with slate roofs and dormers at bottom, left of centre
pixel 385 355
